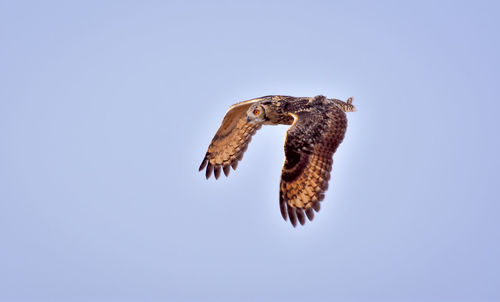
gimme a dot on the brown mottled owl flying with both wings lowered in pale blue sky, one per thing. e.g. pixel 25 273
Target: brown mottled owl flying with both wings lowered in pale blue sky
pixel 317 127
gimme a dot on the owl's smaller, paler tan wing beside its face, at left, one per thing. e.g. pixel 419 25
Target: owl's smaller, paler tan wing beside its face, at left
pixel 230 141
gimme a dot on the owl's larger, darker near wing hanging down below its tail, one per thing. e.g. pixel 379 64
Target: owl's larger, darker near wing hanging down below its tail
pixel 309 147
